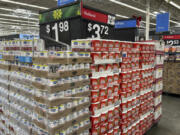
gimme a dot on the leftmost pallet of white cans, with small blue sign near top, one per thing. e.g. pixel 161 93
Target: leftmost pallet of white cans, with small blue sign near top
pixel 16 90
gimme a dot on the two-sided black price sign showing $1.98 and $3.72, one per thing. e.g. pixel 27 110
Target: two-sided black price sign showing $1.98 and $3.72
pixel 74 22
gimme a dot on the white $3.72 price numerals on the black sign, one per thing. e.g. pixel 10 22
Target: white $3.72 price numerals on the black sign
pixel 98 30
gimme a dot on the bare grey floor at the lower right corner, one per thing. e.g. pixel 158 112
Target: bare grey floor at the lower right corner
pixel 170 121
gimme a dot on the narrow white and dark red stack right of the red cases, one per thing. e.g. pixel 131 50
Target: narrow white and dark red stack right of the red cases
pixel 158 80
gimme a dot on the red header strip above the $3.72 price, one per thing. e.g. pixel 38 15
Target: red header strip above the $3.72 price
pixel 97 16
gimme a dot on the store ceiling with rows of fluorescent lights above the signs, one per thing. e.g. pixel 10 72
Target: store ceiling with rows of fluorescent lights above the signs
pixel 7 8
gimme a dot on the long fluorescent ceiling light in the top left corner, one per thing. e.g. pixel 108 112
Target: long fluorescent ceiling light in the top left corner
pixel 24 4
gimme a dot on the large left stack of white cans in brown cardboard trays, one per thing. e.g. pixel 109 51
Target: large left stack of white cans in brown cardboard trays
pixel 43 92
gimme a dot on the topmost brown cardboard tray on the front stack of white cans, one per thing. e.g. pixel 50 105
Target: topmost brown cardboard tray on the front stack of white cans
pixel 61 60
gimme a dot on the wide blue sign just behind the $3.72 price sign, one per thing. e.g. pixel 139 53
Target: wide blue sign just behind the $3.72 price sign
pixel 125 24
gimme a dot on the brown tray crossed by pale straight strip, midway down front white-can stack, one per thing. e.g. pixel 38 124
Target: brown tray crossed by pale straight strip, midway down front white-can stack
pixel 57 102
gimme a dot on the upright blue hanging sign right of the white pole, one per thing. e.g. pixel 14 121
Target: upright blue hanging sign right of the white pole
pixel 162 22
